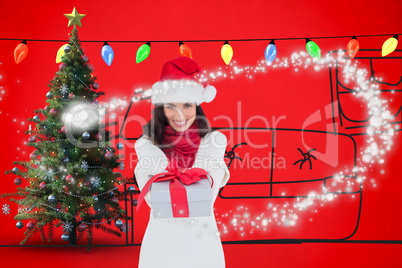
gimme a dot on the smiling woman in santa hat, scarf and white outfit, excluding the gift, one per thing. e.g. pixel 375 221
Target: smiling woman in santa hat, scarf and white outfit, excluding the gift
pixel 180 131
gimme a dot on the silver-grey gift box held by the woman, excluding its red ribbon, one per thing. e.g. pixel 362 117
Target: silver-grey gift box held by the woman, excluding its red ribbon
pixel 199 197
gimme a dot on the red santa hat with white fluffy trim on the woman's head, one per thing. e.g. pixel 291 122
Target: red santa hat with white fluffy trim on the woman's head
pixel 177 84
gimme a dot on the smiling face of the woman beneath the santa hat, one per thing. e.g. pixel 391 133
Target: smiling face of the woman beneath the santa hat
pixel 180 115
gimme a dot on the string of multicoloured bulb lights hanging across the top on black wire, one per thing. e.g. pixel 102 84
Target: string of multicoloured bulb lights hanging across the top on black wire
pixel 107 52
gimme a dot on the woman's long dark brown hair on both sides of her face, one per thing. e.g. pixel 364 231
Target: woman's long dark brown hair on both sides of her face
pixel 155 128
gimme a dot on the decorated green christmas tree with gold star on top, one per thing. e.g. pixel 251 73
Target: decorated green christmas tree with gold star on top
pixel 70 174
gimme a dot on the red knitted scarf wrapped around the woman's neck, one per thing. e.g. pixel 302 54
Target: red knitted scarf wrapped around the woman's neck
pixel 185 145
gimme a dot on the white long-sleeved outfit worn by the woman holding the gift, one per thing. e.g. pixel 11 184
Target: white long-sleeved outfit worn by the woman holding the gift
pixel 182 242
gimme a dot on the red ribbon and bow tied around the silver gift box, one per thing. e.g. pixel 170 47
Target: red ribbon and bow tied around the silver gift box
pixel 178 194
